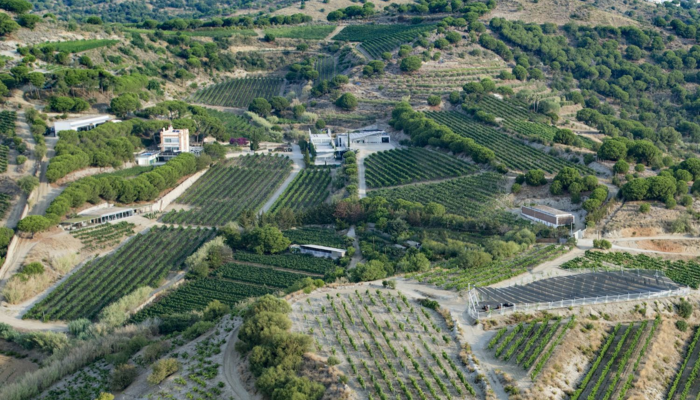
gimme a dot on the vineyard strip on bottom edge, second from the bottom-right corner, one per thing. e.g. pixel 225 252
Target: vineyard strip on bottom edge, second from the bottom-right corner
pixel 612 372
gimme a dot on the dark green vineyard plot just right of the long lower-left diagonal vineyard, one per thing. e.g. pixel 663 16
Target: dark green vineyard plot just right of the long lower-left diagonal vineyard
pixel 195 295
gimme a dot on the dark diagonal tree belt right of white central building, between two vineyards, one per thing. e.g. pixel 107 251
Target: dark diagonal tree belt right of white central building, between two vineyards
pixel 425 131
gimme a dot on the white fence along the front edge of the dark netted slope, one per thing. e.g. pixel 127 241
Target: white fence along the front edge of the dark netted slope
pixel 530 307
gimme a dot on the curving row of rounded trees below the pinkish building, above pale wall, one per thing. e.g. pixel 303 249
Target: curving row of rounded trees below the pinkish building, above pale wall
pixel 144 187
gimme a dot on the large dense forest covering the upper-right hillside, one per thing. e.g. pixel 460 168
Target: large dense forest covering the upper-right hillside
pixel 594 56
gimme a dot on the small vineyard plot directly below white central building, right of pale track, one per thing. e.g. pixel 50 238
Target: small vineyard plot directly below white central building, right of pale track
pixel 309 188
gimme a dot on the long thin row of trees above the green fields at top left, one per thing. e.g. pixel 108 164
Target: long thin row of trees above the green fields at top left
pixel 247 22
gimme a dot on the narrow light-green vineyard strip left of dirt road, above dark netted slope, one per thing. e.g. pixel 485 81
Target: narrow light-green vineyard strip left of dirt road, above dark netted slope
pixel 461 279
